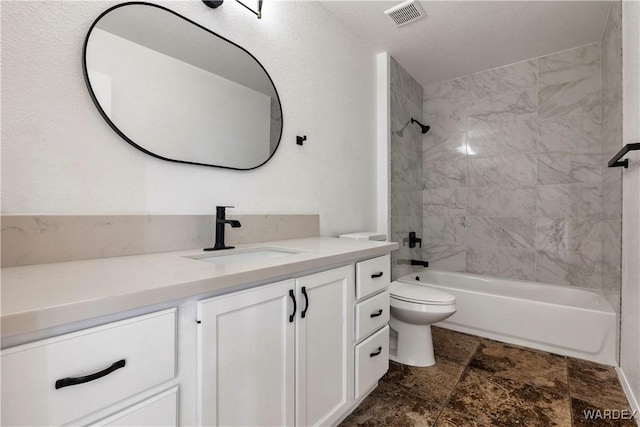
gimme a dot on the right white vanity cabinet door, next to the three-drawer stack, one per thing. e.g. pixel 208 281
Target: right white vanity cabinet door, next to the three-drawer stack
pixel 324 364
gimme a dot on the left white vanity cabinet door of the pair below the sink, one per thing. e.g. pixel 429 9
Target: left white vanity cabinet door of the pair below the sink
pixel 246 358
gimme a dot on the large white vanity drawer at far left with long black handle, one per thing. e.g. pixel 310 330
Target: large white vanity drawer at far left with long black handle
pixel 31 372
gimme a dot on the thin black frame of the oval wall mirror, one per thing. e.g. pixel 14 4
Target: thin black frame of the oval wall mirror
pixel 125 137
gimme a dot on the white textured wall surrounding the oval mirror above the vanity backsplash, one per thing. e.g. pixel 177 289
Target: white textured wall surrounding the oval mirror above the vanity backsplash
pixel 59 156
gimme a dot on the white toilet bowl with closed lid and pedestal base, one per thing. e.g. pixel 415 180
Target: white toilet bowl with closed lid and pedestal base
pixel 413 309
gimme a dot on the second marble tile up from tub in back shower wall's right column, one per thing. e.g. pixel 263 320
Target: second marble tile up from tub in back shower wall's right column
pixel 582 235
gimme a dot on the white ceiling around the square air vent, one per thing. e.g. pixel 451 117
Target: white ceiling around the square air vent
pixel 458 38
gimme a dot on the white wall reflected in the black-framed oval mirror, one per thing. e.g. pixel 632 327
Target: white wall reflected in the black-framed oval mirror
pixel 177 110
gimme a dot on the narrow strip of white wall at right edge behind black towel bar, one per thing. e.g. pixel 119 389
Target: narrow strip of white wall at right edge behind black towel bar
pixel 630 330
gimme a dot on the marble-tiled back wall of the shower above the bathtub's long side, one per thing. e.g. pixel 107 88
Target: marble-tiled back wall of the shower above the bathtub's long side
pixel 513 172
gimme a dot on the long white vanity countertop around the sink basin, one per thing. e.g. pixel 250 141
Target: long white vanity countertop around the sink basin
pixel 44 296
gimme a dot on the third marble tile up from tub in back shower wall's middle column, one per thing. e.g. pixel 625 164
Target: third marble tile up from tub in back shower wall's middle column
pixel 498 201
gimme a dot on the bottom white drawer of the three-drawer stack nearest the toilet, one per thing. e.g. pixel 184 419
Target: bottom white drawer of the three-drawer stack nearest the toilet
pixel 372 360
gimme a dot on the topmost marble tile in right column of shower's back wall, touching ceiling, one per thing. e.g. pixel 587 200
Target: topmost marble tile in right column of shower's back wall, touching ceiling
pixel 570 65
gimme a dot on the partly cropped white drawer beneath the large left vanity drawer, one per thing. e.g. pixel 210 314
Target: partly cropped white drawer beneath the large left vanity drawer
pixel 159 410
